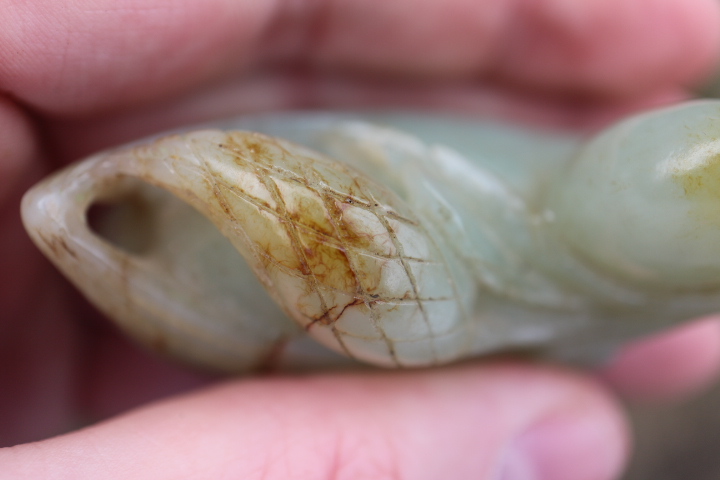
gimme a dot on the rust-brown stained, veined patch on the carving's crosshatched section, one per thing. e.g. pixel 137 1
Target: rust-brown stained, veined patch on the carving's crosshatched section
pixel 334 241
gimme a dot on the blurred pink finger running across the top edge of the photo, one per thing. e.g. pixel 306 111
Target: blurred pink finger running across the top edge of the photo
pixel 91 55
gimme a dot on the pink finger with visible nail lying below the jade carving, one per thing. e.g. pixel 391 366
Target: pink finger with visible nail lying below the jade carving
pixel 479 423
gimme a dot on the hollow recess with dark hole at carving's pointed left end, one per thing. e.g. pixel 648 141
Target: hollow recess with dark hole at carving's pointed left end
pixel 183 254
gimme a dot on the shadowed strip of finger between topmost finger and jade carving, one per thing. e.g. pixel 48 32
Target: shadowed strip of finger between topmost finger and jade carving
pixel 72 139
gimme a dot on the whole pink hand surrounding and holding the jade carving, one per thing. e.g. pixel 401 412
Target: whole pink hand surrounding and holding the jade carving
pixel 80 75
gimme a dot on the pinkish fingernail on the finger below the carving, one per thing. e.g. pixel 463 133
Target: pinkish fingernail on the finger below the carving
pixel 566 448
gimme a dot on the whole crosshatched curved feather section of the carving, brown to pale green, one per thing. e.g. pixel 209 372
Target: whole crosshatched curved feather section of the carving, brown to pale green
pixel 344 257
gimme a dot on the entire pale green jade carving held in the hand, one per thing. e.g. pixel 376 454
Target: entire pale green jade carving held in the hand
pixel 398 240
